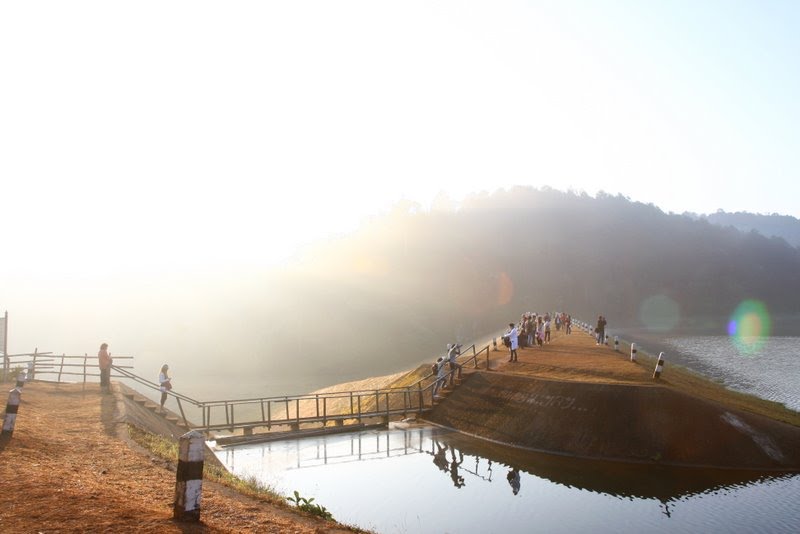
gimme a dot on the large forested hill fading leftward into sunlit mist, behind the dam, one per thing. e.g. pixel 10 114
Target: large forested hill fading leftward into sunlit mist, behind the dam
pixel 409 282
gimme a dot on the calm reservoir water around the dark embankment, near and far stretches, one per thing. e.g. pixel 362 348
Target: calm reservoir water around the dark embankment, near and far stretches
pixel 432 480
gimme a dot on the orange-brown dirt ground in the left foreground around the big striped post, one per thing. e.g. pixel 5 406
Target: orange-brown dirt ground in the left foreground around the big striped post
pixel 68 468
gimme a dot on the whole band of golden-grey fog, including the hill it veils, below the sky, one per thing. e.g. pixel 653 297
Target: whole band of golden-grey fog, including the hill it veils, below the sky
pixel 393 294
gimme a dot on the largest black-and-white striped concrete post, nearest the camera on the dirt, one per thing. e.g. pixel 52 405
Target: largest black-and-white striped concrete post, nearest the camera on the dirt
pixel 189 478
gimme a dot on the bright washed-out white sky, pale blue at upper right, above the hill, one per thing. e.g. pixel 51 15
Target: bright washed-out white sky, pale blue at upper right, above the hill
pixel 143 136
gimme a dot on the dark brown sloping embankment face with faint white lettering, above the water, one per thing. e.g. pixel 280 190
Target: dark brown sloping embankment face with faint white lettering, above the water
pixel 616 421
